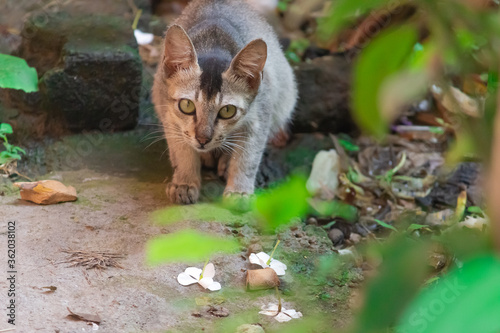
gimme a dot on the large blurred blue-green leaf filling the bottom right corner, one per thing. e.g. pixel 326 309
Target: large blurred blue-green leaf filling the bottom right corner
pixel 466 300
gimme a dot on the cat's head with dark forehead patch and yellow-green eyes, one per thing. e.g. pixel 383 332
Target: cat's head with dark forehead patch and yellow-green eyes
pixel 208 95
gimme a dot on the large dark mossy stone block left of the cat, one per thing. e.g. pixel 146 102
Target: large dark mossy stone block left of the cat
pixel 89 68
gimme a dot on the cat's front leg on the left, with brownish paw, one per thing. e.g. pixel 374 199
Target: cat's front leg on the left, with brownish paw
pixel 186 180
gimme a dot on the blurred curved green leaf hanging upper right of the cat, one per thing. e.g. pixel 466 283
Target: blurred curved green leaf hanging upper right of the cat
pixel 383 57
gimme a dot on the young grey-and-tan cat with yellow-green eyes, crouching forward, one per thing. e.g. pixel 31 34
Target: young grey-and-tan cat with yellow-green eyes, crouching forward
pixel 222 88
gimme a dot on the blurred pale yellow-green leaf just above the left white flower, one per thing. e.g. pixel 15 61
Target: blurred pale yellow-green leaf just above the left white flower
pixel 188 246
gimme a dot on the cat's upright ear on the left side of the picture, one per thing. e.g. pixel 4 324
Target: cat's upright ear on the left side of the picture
pixel 179 51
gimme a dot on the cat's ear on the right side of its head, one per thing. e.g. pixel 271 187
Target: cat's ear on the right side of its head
pixel 249 63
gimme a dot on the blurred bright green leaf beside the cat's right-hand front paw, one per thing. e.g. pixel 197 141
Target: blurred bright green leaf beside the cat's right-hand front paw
pixel 280 205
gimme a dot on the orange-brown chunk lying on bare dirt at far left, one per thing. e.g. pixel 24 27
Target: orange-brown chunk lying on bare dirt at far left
pixel 46 192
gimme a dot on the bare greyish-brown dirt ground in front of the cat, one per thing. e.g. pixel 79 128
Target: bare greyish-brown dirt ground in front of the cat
pixel 119 184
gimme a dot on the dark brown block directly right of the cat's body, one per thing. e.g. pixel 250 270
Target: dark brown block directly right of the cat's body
pixel 323 103
